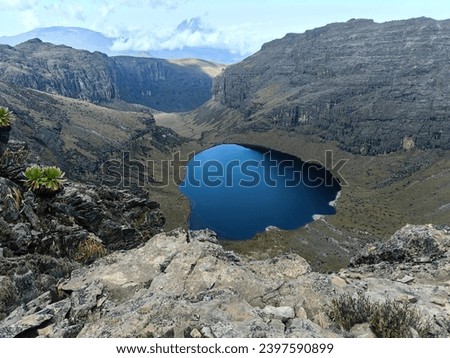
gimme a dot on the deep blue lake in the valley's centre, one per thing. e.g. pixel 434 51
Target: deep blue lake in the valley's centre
pixel 239 191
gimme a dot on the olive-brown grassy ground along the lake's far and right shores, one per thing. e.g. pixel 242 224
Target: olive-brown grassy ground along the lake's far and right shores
pixel 382 194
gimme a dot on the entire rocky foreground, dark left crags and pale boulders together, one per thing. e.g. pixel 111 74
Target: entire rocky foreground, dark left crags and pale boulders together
pixel 93 262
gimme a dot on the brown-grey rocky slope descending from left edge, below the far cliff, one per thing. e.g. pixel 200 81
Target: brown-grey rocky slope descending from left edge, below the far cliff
pixel 79 136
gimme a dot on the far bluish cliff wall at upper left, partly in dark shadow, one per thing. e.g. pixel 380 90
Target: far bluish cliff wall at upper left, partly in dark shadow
pixel 95 77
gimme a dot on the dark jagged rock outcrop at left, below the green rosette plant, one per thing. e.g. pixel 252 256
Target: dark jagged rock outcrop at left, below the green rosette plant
pixel 104 218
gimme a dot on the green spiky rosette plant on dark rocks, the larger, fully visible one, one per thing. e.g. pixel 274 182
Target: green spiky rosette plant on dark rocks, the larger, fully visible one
pixel 44 180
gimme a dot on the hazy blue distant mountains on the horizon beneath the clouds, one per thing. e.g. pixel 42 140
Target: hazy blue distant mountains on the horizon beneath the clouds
pixel 84 39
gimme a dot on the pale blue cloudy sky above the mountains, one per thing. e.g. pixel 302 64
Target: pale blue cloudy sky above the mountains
pixel 241 26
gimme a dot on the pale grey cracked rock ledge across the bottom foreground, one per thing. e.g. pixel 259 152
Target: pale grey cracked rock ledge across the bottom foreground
pixel 186 285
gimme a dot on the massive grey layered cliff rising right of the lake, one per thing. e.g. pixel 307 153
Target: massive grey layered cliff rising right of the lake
pixel 373 88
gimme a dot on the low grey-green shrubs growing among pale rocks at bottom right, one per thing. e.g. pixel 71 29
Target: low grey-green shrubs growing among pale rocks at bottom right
pixel 387 319
